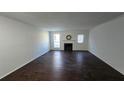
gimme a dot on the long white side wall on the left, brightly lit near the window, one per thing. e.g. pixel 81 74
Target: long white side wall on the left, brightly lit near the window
pixel 19 44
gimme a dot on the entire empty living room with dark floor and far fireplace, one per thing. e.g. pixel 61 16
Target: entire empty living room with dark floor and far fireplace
pixel 61 46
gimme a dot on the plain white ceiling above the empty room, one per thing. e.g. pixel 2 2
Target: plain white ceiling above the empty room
pixel 60 21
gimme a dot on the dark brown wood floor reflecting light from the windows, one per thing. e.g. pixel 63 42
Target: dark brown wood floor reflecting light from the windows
pixel 67 66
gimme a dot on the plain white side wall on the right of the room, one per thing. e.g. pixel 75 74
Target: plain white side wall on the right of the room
pixel 107 42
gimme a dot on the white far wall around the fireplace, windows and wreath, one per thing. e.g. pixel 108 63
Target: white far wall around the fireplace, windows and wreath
pixel 76 46
